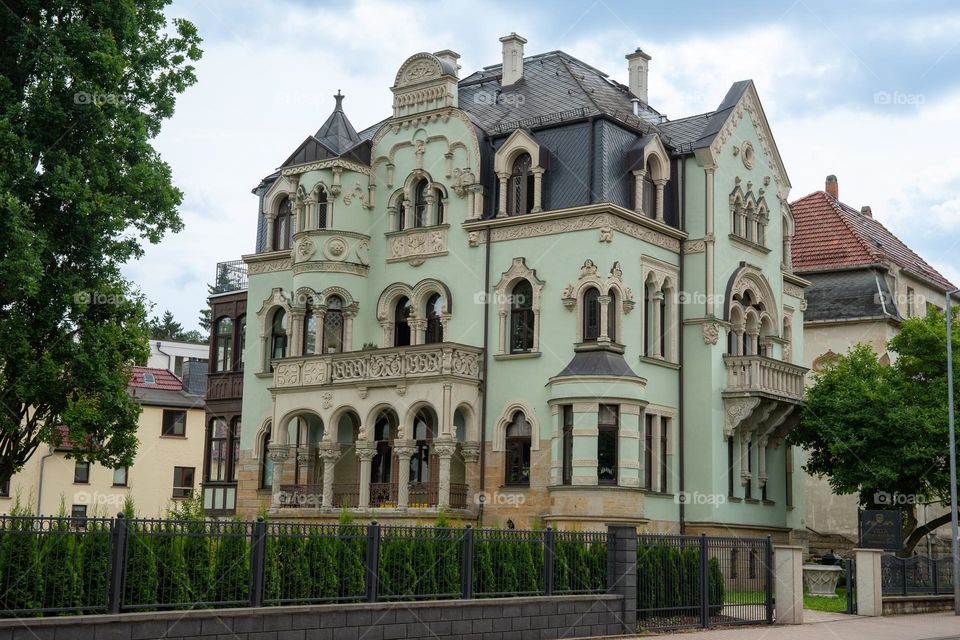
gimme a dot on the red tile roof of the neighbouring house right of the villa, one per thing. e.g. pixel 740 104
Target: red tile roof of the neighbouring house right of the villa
pixel 830 234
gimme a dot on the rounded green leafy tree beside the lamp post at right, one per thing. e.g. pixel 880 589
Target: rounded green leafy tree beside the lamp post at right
pixel 881 431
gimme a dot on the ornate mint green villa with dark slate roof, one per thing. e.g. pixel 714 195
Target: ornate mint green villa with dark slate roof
pixel 526 297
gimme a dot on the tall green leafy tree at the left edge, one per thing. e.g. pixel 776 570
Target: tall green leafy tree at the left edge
pixel 84 88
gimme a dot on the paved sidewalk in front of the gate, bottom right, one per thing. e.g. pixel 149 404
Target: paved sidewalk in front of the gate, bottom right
pixel 928 626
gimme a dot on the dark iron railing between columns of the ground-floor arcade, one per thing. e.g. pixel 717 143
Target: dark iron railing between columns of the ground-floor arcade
pixel 383 495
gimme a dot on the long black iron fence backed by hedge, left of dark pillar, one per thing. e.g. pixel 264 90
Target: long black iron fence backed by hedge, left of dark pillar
pixel 102 565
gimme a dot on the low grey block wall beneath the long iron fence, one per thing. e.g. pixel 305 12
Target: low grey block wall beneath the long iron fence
pixel 536 618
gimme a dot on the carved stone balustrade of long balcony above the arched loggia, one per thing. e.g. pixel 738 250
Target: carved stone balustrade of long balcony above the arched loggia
pixel 395 364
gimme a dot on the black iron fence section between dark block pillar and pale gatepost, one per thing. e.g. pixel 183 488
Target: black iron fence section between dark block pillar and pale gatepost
pixel 700 581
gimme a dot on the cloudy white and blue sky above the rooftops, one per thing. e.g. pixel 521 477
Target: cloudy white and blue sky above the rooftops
pixel 866 90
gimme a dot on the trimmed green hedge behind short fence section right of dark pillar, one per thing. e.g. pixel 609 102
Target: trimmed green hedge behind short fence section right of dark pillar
pixel 668 582
